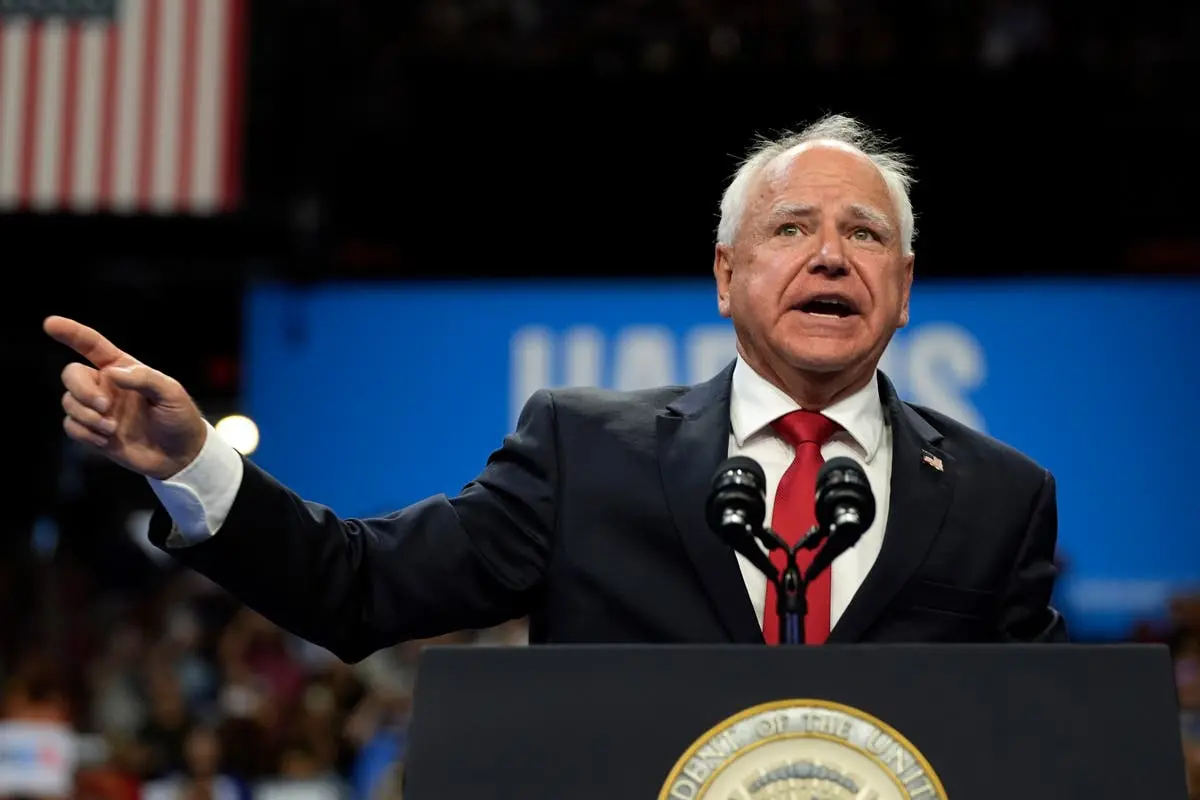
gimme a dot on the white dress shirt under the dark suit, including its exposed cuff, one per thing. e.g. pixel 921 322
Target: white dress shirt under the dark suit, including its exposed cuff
pixel 200 497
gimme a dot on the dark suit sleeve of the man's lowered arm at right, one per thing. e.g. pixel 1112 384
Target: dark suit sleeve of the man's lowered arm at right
pixel 1027 615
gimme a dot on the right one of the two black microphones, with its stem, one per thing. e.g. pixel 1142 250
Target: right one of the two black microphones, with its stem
pixel 845 508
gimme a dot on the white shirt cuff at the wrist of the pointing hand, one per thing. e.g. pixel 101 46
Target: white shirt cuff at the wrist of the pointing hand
pixel 200 497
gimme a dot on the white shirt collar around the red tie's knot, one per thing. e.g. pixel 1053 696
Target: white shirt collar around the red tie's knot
pixel 755 404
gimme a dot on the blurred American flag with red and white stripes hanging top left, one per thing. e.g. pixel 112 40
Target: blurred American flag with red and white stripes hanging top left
pixel 122 106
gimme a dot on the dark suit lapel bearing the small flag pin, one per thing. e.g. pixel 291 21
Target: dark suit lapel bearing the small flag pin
pixel 922 486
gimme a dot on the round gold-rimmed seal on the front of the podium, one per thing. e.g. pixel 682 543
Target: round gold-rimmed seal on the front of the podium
pixel 803 750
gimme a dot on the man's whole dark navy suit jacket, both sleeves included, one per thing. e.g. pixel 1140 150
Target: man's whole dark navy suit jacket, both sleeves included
pixel 591 521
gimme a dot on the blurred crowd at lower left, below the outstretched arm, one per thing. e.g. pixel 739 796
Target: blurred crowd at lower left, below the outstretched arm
pixel 184 695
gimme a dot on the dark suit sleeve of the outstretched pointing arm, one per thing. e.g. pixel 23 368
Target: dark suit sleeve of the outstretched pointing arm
pixel 356 586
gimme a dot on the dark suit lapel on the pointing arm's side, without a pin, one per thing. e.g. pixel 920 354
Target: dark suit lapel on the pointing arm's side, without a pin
pixel 694 436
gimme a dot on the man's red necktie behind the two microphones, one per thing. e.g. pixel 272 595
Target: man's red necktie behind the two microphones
pixel 795 514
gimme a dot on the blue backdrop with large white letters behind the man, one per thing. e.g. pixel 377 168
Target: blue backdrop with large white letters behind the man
pixel 371 398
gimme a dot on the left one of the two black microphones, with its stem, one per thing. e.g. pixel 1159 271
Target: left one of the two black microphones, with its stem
pixel 737 507
